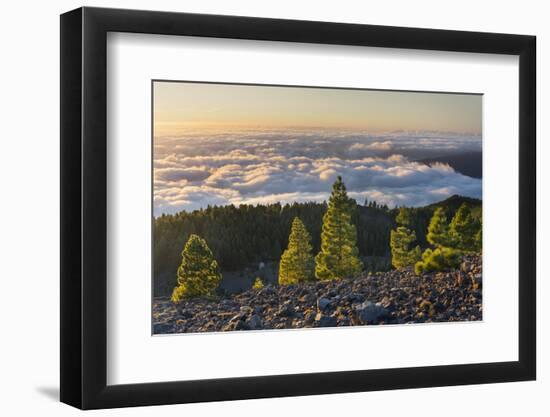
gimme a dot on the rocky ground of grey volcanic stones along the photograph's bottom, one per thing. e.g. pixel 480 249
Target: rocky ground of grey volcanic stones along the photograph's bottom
pixel 395 297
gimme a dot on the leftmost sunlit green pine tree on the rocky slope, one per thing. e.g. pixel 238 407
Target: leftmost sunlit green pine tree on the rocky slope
pixel 198 274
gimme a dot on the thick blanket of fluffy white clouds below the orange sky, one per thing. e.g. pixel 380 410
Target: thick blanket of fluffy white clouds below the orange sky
pixel 195 170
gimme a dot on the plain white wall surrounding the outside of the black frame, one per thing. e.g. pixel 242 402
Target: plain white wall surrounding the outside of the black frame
pixel 29 225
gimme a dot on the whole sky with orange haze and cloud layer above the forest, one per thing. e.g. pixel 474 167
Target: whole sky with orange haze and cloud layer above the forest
pixel 217 144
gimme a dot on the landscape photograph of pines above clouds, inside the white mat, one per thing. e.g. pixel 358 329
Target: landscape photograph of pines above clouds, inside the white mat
pixel 304 207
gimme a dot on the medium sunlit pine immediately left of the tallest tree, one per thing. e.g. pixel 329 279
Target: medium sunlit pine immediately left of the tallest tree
pixel 297 263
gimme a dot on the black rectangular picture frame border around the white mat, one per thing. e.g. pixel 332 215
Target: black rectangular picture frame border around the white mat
pixel 84 207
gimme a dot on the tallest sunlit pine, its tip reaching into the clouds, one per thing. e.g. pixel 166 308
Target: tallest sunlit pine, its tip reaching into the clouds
pixel 339 256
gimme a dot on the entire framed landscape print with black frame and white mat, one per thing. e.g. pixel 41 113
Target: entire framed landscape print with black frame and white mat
pixel 258 207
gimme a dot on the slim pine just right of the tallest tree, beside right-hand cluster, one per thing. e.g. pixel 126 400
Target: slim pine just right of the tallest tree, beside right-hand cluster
pixel 401 240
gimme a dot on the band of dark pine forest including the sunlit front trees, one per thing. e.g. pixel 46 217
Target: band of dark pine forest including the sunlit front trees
pixel 341 233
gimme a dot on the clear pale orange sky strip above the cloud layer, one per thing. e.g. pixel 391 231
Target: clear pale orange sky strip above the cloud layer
pixel 179 106
